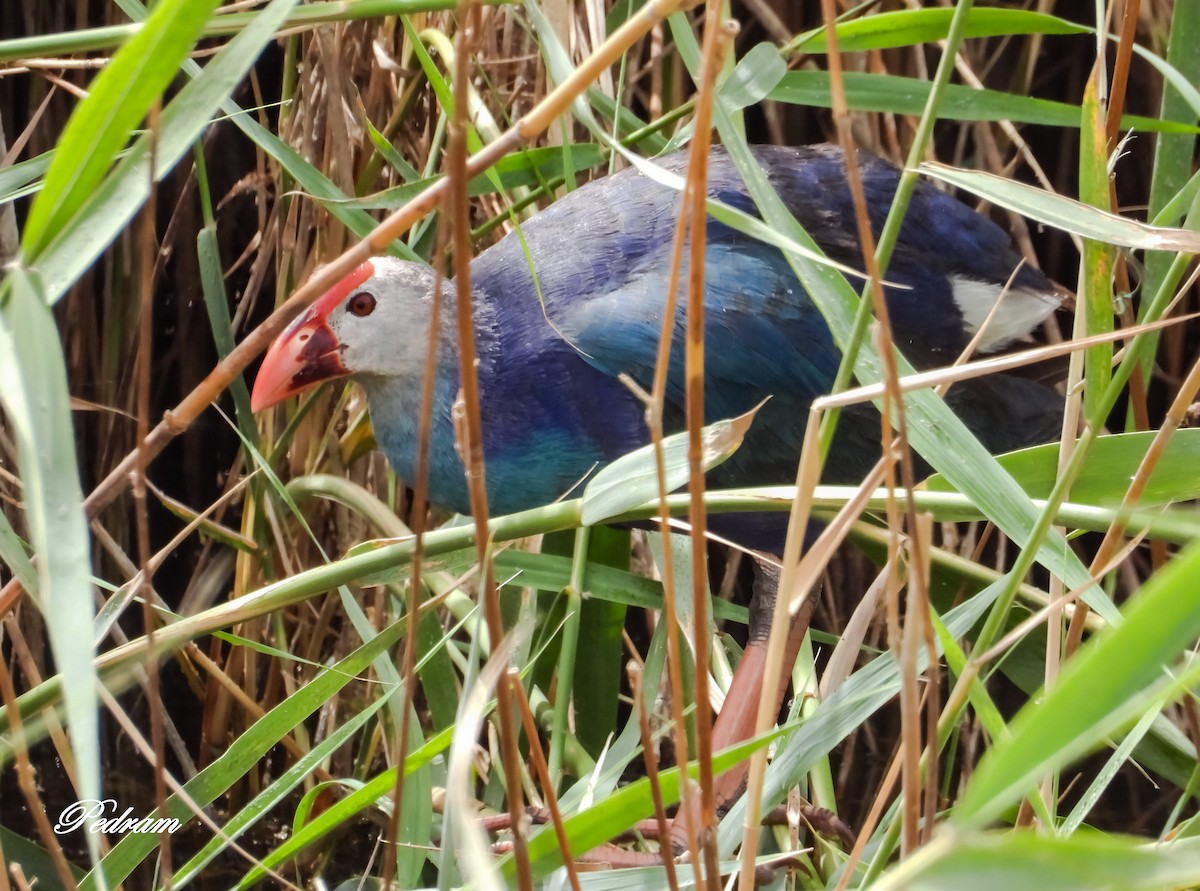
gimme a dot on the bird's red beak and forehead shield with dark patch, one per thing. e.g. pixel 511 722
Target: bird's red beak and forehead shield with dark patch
pixel 307 354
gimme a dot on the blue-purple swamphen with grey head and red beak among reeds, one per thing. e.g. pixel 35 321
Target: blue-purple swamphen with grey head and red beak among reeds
pixel 551 349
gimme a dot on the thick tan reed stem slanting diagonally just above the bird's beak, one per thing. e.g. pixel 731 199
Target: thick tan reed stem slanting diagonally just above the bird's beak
pixel 377 242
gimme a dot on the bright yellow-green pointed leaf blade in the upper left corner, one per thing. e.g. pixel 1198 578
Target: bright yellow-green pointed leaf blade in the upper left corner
pixel 118 100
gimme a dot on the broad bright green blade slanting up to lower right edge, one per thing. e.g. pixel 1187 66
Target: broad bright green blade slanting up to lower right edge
pixel 1108 686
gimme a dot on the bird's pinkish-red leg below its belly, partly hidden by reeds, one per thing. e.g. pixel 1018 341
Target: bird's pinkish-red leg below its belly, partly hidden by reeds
pixel 736 722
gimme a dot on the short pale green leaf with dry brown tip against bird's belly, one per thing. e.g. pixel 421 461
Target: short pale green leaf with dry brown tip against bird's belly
pixel 633 480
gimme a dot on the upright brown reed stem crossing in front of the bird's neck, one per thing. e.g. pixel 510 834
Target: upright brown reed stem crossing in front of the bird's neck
pixel 469 427
